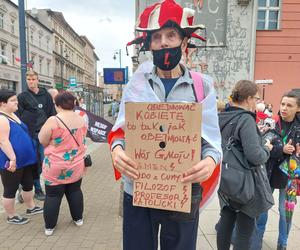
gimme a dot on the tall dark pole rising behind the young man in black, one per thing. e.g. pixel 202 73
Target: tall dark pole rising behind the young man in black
pixel 22 34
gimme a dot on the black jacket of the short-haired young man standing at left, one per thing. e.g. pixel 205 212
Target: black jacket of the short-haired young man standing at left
pixel 35 109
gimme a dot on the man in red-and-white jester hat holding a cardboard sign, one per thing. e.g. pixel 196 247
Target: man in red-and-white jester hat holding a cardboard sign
pixel 166 28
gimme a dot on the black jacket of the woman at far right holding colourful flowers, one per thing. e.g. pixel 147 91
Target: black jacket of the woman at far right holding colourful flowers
pixel 277 178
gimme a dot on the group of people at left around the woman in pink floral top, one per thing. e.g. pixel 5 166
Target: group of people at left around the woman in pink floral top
pixel 41 133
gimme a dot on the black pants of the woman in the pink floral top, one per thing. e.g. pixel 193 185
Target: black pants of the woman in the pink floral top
pixel 54 195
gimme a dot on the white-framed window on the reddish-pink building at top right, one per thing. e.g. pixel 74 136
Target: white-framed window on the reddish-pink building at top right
pixel 267 8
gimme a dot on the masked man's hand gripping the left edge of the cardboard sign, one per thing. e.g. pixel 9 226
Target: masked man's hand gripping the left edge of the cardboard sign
pixel 124 164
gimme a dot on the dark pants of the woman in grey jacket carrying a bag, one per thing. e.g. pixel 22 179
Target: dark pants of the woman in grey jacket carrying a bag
pixel 244 229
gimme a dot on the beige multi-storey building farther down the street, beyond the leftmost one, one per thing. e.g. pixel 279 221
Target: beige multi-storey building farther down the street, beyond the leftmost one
pixel 74 60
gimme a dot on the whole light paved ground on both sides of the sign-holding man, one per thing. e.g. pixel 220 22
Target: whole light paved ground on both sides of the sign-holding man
pixel 102 229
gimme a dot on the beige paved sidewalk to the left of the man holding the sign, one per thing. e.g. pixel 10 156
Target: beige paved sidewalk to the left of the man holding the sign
pixel 101 229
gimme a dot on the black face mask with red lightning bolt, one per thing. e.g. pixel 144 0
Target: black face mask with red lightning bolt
pixel 167 59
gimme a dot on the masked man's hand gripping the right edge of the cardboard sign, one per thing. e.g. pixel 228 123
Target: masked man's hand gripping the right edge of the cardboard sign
pixel 200 172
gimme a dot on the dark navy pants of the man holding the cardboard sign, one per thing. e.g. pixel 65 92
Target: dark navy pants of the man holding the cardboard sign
pixel 178 230
